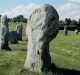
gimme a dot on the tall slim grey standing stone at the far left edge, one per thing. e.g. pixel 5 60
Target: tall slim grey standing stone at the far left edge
pixel 4 30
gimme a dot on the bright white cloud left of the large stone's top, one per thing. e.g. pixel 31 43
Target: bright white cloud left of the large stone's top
pixel 24 10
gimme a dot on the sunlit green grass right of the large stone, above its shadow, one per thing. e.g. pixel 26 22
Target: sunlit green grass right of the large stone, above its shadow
pixel 65 51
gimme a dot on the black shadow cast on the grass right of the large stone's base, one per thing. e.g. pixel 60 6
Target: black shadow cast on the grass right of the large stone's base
pixel 60 71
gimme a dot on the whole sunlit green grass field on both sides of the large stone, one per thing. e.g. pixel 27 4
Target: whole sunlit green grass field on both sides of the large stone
pixel 64 50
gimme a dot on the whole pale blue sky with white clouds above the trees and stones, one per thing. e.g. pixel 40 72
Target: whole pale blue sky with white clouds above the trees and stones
pixel 65 8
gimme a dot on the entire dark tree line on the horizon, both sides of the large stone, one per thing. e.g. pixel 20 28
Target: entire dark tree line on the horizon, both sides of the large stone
pixel 68 22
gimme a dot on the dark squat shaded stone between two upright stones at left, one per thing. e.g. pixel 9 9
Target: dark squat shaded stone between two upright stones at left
pixel 13 37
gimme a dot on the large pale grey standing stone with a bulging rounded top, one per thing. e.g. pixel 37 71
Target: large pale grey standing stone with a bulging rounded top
pixel 42 27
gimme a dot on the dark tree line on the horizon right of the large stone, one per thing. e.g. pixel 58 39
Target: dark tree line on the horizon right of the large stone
pixel 70 24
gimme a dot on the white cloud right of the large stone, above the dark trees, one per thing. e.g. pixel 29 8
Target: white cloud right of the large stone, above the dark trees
pixel 69 10
